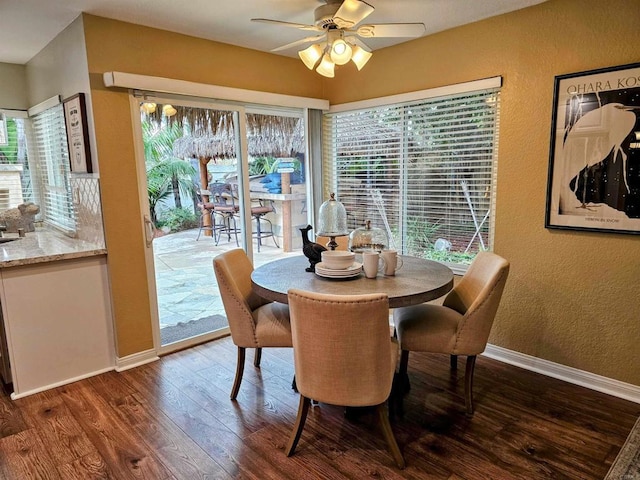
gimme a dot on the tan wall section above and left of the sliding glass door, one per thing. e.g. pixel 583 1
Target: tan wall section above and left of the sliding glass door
pixel 118 46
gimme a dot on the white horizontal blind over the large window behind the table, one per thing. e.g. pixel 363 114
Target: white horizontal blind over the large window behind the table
pixel 422 170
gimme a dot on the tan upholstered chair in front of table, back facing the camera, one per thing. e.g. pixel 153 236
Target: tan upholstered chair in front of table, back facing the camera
pixel 343 355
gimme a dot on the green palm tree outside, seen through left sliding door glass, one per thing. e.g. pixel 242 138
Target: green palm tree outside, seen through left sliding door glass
pixel 166 174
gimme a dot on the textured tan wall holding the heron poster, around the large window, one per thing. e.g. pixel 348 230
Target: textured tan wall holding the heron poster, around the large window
pixel 572 297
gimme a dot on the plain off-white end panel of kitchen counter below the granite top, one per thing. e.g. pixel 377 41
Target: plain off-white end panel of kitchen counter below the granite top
pixel 58 322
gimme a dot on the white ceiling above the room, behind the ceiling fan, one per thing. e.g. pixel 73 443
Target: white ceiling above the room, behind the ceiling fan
pixel 32 24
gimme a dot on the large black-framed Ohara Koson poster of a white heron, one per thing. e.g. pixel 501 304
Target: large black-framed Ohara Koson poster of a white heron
pixel 594 160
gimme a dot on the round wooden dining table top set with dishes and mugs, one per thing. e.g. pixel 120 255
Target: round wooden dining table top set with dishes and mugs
pixel 418 281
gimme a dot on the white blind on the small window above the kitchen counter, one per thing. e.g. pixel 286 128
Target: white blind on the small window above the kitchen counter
pixel 52 173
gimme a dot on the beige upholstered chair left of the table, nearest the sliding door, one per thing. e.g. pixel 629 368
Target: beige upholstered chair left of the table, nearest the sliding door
pixel 254 322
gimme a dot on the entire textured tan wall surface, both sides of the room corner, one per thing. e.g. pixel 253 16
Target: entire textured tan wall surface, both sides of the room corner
pixel 572 297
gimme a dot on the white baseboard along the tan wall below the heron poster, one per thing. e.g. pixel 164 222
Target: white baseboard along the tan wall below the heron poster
pixel 599 383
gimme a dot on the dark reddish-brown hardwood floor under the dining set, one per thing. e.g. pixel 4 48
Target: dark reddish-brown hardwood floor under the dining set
pixel 173 419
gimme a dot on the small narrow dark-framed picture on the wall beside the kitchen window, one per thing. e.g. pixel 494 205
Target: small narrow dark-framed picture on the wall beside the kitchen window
pixel 75 117
